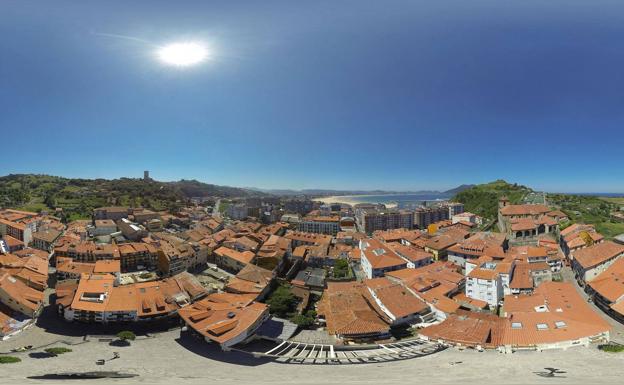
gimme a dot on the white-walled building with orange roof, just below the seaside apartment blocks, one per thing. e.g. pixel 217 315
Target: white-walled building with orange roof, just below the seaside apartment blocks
pixel 377 259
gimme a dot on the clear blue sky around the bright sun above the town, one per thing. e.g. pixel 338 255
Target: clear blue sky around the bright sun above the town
pixel 324 94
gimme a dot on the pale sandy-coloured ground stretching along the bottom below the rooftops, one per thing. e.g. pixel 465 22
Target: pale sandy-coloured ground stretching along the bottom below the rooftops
pixel 167 358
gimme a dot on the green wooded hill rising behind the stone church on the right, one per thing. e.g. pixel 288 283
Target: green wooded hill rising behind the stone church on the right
pixel 483 199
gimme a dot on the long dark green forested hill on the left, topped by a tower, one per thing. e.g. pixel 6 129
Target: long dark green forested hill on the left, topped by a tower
pixel 78 197
